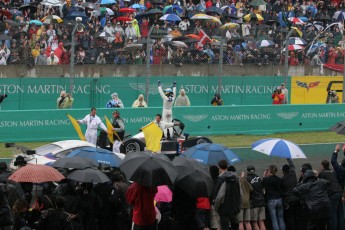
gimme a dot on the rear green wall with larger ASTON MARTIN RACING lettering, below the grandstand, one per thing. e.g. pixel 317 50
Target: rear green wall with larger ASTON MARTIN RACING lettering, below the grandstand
pixel 42 93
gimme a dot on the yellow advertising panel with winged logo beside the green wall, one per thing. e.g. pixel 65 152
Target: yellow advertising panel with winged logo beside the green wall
pixel 314 89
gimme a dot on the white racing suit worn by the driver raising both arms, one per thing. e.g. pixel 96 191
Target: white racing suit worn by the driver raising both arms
pixel 167 110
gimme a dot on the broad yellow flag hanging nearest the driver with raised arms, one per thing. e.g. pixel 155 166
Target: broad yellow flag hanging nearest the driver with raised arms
pixel 153 135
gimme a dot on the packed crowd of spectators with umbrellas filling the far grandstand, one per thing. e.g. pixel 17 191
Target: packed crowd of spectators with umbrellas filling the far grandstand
pixel 117 36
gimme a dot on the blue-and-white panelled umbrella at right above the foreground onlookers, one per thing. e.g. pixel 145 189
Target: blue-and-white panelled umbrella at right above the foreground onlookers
pixel 279 148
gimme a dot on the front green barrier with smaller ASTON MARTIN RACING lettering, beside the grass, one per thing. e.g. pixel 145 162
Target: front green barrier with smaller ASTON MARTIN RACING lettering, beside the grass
pixel 48 125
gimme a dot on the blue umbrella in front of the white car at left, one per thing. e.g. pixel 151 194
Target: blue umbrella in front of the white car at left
pixel 100 155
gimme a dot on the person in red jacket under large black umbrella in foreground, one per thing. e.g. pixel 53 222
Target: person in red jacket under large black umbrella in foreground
pixel 142 200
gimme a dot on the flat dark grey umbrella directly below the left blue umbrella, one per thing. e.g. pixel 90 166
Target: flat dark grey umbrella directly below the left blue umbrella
pixel 75 163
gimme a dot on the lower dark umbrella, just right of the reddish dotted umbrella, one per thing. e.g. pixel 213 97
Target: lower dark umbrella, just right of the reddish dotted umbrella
pixel 88 176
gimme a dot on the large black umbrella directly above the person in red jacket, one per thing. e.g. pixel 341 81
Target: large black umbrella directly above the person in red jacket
pixel 149 169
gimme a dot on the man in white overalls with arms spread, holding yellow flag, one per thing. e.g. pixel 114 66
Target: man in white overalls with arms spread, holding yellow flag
pixel 92 121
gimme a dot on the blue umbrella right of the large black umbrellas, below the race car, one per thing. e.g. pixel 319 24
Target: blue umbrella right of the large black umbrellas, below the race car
pixel 207 153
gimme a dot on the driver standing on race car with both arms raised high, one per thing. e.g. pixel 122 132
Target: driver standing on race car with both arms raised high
pixel 168 100
